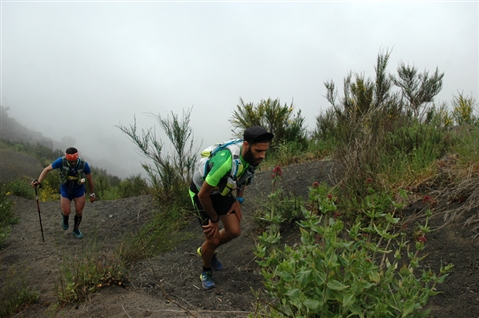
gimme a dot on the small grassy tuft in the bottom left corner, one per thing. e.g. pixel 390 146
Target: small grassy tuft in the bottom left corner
pixel 15 292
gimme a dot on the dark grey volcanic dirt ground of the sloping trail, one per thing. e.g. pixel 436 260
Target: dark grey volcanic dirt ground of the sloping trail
pixel 169 286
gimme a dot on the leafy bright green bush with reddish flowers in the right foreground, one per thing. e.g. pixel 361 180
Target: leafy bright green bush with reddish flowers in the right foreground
pixel 336 272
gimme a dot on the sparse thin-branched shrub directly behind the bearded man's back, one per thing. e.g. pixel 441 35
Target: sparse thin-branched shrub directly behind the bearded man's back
pixel 169 175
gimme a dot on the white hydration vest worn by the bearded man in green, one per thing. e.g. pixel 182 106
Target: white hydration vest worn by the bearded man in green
pixel 237 167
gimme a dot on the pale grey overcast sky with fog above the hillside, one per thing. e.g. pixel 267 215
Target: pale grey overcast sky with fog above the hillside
pixel 81 68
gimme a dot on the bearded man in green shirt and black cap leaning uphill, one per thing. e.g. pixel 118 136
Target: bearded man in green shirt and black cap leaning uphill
pixel 212 190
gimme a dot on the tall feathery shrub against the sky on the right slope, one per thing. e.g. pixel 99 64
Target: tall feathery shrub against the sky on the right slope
pixel 374 103
